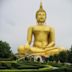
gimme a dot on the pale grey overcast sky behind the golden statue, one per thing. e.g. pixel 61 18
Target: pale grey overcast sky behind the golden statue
pixel 17 15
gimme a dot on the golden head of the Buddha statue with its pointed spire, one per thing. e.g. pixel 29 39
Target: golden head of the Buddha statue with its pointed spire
pixel 41 14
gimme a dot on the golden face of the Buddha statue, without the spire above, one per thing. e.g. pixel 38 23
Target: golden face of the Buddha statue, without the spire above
pixel 41 17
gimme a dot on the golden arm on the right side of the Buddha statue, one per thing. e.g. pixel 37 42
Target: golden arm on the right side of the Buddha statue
pixel 51 38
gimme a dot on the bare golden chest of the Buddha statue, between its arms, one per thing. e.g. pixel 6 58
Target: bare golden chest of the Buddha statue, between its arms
pixel 41 34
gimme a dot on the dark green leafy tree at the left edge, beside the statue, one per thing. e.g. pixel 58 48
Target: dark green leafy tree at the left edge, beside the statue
pixel 5 51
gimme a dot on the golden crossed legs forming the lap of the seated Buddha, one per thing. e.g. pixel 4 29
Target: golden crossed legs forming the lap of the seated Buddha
pixel 36 49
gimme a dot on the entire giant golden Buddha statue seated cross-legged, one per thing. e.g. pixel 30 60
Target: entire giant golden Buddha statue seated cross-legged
pixel 44 38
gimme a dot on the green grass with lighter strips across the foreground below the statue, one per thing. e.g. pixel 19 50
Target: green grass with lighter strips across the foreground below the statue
pixel 36 67
